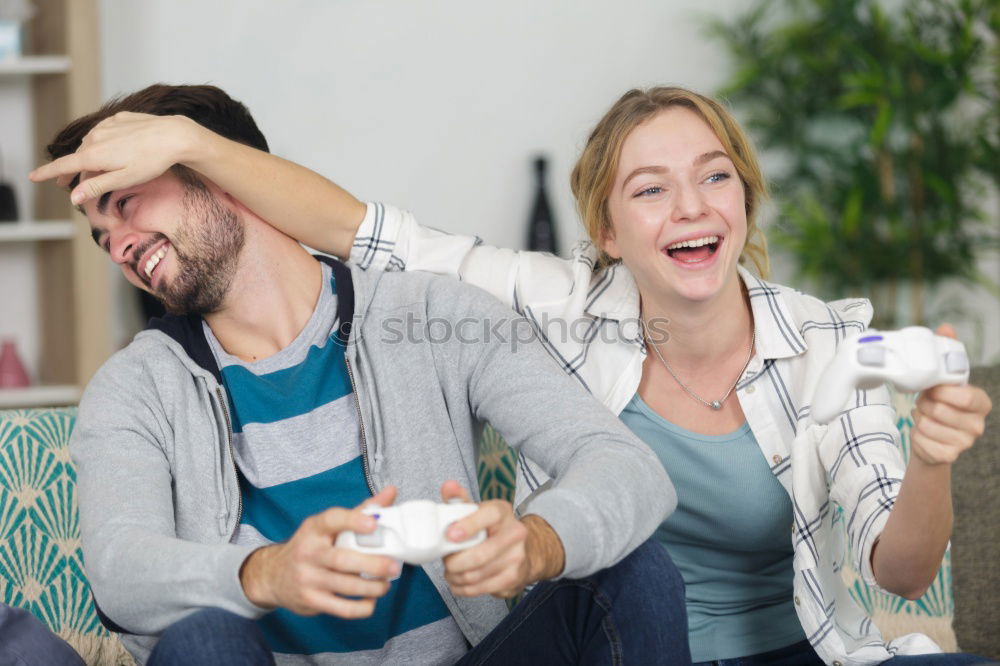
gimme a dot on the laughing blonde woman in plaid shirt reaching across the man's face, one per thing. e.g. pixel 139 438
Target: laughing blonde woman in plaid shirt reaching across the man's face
pixel 712 366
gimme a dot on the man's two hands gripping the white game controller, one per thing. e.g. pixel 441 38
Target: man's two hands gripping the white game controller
pixel 309 575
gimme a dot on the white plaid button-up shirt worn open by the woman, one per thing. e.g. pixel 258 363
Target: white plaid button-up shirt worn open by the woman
pixel 588 322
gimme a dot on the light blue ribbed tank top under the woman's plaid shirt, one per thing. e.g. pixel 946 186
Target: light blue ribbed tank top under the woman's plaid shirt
pixel 730 537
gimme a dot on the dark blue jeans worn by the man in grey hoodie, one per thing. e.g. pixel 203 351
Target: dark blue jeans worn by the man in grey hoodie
pixel 631 613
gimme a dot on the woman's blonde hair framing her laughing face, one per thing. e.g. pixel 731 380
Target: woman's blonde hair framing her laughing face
pixel 594 174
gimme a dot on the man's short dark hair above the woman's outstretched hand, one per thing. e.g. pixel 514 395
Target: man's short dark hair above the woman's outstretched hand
pixel 208 106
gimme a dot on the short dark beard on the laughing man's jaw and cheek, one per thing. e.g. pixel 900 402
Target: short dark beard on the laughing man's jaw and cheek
pixel 207 243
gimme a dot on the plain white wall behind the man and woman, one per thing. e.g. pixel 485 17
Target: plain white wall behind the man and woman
pixel 436 106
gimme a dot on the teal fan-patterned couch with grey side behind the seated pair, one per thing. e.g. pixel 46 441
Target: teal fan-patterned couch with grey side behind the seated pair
pixel 42 569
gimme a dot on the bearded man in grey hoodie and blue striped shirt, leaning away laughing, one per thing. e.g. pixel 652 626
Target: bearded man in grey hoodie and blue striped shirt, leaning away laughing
pixel 219 453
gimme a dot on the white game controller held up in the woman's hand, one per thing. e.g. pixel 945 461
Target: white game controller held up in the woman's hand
pixel 912 358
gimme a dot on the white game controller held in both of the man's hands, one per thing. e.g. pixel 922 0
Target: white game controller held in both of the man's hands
pixel 413 531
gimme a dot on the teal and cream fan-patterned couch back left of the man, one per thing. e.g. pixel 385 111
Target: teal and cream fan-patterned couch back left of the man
pixel 41 564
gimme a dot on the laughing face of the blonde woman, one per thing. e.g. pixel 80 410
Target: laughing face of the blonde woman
pixel 677 209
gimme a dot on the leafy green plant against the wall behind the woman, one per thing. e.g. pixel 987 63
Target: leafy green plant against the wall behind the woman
pixel 883 126
